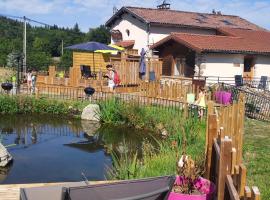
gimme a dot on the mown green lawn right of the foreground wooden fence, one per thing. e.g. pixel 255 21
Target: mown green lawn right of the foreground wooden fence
pixel 257 155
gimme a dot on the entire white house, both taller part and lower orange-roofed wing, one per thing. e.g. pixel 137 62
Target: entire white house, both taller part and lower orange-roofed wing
pixel 195 44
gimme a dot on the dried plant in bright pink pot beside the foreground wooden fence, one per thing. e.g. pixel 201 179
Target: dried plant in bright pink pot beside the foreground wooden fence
pixel 189 185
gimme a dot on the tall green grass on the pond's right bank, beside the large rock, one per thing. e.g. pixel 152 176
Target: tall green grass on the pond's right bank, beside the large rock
pixel 154 162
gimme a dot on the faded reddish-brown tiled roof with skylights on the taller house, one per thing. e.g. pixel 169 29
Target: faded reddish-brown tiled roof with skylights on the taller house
pixel 181 18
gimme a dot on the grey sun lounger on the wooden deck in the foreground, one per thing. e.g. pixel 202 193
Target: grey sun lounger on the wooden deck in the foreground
pixel 157 188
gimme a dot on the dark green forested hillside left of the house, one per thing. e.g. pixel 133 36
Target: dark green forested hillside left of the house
pixel 43 43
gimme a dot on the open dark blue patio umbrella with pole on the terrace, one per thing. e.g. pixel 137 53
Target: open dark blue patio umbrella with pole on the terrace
pixel 91 47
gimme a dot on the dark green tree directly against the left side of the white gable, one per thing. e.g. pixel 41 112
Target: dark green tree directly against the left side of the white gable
pixel 100 34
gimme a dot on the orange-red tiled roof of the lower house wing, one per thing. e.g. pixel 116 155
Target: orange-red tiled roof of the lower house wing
pixel 233 41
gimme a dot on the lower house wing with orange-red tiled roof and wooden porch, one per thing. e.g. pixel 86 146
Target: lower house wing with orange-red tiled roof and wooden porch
pixel 232 51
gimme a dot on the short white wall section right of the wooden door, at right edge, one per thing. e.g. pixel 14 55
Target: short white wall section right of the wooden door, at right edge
pixel 262 66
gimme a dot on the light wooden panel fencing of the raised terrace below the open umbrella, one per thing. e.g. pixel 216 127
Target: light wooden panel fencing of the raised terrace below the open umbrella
pixel 127 69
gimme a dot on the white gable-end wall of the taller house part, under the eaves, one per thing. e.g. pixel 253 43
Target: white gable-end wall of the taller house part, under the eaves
pixel 137 29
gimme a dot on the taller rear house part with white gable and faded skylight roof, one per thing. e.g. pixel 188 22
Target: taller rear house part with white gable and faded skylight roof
pixel 139 28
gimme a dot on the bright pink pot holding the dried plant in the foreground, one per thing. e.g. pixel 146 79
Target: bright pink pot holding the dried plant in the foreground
pixel 203 185
